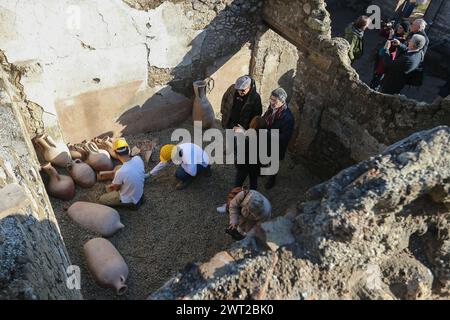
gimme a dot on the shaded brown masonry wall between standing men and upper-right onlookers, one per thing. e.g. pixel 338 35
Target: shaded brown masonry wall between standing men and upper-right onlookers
pixel 340 120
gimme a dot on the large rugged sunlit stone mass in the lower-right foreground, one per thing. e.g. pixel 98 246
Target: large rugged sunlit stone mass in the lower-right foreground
pixel 354 236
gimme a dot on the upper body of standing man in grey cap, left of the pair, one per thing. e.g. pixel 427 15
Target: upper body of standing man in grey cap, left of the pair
pixel 240 104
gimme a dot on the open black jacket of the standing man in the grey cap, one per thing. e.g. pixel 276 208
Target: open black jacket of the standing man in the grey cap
pixel 251 108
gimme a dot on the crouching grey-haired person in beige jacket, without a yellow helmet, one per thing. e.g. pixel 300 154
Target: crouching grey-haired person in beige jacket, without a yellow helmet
pixel 247 208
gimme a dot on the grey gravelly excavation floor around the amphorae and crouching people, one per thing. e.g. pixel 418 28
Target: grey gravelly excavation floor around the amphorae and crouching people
pixel 173 227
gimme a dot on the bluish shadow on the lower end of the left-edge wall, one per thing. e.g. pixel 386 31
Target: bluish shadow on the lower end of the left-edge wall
pixel 30 256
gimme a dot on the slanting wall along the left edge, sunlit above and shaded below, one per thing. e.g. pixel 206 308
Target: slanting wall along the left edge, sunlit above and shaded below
pixel 33 258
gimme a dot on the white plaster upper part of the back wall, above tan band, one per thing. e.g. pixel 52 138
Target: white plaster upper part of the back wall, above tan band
pixel 63 45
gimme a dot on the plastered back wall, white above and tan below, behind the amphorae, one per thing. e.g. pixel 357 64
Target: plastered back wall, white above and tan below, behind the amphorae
pixel 114 67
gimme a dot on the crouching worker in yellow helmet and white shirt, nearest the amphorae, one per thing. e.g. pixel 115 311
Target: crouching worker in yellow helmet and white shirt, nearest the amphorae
pixel 127 188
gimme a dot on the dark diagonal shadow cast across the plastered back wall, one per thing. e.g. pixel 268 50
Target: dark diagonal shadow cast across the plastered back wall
pixel 219 45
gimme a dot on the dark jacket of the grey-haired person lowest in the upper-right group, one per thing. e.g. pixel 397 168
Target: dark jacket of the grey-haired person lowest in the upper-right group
pixel 398 70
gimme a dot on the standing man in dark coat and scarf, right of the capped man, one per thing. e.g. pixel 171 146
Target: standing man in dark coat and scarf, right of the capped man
pixel 279 117
